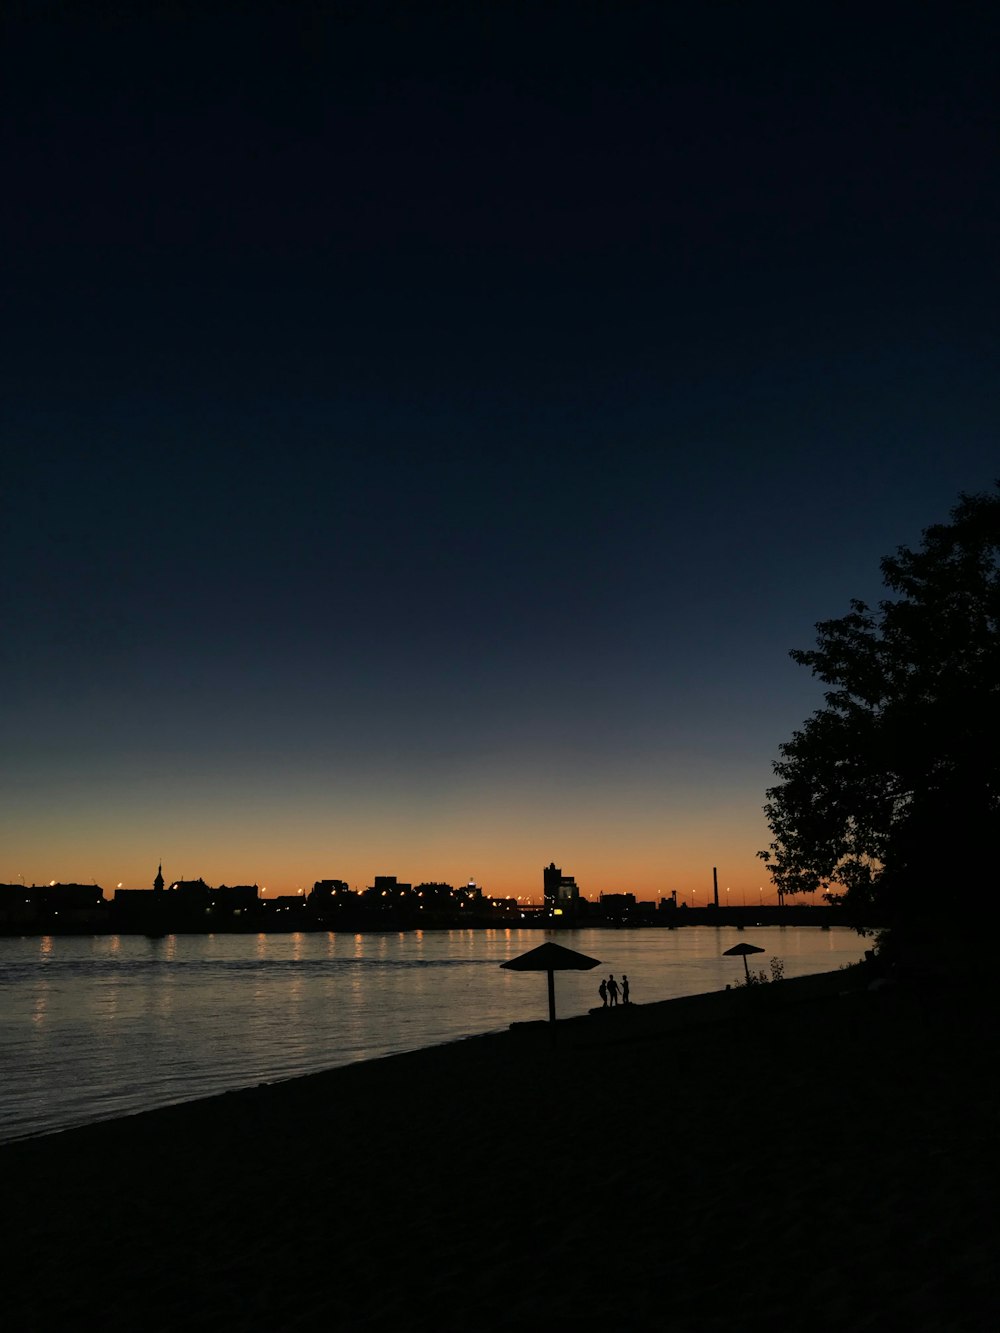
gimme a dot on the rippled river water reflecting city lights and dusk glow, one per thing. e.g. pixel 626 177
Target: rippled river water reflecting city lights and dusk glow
pixel 101 1027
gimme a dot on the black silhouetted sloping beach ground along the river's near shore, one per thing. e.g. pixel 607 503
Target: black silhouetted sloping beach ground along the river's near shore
pixel 807 1156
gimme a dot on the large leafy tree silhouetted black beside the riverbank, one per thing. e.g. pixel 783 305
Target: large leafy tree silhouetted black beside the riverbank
pixel 891 791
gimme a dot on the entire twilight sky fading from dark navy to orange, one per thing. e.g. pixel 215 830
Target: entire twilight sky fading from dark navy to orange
pixel 427 429
